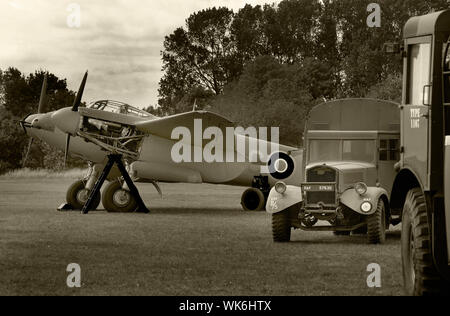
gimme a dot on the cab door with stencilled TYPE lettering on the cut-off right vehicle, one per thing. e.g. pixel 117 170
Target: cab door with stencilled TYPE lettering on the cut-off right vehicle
pixel 416 110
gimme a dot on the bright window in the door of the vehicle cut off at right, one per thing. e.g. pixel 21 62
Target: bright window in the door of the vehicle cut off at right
pixel 419 71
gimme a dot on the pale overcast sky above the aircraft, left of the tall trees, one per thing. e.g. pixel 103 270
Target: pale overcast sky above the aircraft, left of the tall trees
pixel 119 42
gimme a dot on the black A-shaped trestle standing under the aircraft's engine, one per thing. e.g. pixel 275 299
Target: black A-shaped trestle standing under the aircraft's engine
pixel 115 159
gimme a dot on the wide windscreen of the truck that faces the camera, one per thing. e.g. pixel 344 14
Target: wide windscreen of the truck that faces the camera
pixel 341 150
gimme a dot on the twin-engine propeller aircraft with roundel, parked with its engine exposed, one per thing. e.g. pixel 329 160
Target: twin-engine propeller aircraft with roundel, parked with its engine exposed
pixel 151 153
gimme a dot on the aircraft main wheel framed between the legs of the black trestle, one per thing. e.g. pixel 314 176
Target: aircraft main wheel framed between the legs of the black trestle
pixel 117 200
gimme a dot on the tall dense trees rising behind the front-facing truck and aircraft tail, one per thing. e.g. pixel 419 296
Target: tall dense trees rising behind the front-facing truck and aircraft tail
pixel 268 65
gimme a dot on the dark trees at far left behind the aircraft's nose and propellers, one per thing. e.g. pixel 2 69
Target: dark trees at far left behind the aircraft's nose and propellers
pixel 19 96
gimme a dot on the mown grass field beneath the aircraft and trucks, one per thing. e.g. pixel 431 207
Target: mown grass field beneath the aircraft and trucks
pixel 196 241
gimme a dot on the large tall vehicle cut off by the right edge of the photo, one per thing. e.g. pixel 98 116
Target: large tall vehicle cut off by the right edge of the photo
pixel 421 189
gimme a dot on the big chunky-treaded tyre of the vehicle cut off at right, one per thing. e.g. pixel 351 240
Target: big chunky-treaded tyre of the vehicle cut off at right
pixel 420 276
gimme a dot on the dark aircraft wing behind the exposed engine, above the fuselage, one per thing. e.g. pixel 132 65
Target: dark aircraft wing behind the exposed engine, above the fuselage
pixel 163 127
